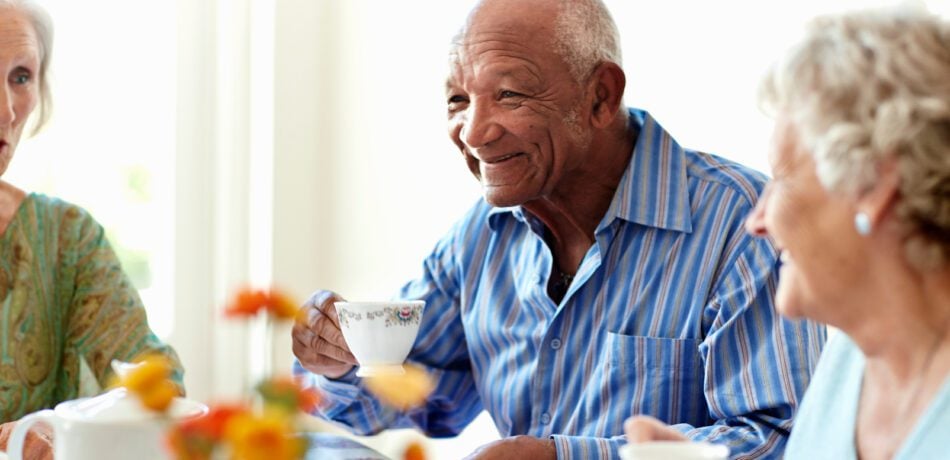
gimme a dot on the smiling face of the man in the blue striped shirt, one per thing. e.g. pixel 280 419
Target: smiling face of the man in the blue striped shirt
pixel 515 112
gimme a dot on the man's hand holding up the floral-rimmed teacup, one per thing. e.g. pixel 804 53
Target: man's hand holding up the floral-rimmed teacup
pixel 317 340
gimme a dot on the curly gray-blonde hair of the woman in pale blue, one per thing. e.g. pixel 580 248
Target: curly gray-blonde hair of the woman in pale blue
pixel 869 86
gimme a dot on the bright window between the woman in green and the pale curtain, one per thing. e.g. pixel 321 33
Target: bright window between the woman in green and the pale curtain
pixel 110 144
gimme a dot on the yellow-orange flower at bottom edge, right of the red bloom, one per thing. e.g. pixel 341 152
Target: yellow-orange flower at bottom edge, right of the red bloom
pixel 266 437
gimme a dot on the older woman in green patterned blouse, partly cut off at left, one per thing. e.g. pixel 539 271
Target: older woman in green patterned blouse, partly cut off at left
pixel 66 307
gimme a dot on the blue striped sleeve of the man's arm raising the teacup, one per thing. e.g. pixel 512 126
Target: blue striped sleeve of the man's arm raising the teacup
pixel 440 349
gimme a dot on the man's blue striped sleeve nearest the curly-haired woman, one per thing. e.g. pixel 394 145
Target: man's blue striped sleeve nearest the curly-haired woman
pixel 757 363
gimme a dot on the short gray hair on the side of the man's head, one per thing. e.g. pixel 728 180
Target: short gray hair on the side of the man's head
pixel 585 35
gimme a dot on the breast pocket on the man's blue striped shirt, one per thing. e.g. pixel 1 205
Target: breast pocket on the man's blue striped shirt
pixel 657 376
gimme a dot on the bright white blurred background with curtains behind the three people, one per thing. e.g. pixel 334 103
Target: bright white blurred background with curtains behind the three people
pixel 303 143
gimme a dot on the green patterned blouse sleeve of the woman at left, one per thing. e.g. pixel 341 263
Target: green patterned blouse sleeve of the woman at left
pixel 106 318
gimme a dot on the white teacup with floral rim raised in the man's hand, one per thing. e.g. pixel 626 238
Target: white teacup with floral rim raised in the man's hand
pixel 380 334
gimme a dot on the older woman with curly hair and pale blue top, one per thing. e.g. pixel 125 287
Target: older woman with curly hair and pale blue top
pixel 860 207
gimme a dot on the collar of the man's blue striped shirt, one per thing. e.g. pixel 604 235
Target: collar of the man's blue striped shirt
pixel 653 190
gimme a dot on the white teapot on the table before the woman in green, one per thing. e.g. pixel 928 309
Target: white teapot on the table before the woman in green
pixel 111 426
